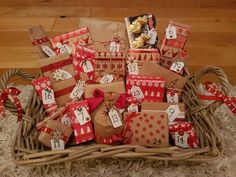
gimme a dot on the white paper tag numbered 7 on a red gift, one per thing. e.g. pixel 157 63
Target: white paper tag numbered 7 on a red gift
pixel 82 116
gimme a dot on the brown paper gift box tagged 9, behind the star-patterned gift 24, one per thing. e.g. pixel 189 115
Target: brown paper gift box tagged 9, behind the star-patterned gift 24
pixel 176 112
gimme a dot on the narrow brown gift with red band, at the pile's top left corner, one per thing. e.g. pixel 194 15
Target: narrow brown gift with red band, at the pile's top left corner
pixel 41 42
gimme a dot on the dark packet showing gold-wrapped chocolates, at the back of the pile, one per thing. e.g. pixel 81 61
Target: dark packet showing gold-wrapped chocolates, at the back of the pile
pixel 141 31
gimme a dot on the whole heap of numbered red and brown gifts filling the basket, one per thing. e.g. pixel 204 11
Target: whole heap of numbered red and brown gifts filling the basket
pixel 118 88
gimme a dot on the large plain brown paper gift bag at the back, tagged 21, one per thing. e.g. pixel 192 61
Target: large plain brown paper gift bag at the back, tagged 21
pixel 104 32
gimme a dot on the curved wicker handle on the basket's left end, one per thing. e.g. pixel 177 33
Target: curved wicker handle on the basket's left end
pixel 5 78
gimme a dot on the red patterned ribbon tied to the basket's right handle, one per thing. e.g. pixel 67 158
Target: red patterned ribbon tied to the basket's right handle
pixel 218 95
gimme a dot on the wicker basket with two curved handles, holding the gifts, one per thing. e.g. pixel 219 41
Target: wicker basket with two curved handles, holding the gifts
pixel 27 151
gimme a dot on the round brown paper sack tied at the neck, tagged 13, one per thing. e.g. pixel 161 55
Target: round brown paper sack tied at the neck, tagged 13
pixel 108 121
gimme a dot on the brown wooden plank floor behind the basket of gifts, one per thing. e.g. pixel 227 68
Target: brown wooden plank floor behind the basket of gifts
pixel 212 40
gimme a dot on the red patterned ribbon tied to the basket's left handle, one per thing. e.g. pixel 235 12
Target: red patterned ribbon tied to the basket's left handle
pixel 13 92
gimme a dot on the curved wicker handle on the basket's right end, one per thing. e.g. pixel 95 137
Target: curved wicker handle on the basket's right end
pixel 223 80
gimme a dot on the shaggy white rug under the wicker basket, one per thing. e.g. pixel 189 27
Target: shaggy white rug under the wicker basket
pixel 225 167
